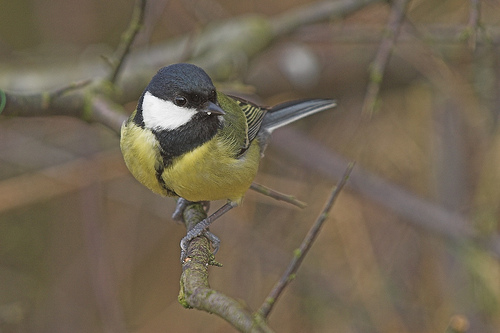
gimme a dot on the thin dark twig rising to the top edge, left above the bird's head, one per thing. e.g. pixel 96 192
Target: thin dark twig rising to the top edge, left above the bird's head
pixel 127 39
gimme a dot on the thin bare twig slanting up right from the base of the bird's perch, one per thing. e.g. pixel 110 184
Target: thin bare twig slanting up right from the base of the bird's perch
pixel 300 253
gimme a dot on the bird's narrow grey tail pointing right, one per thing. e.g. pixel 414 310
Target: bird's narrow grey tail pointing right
pixel 288 112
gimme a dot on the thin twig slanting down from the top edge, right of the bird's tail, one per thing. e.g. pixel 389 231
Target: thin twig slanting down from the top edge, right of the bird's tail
pixel 378 65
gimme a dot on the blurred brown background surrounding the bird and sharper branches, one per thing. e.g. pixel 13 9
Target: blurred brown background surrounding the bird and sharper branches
pixel 411 246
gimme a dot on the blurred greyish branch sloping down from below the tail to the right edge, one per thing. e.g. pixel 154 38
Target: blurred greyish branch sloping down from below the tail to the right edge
pixel 420 213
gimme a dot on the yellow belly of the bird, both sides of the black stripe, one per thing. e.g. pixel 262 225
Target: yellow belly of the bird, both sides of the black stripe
pixel 207 173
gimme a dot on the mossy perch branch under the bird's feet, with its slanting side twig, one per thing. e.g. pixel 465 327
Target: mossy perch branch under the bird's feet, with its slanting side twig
pixel 195 290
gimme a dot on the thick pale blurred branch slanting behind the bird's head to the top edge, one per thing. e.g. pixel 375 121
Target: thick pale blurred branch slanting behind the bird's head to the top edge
pixel 232 37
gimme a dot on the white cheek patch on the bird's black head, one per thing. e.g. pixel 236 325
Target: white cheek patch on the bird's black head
pixel 164 115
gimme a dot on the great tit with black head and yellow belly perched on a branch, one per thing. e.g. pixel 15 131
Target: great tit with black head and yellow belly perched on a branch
pixel 187 140
